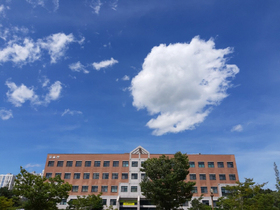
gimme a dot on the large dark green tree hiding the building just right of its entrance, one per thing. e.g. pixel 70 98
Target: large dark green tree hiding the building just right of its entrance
pixel 164 183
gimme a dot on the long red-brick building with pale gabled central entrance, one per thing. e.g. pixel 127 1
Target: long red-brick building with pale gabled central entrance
pixel 118 176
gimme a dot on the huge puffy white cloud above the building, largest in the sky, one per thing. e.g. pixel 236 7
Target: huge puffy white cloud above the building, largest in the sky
pixel 181 83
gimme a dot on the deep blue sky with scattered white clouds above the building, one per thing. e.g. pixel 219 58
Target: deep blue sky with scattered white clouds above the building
pixel 96 76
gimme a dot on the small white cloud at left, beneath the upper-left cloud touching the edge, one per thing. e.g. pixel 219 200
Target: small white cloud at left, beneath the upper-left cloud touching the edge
pixel 18 95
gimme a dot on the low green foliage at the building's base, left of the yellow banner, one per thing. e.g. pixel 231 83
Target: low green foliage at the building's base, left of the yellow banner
pixel 90 202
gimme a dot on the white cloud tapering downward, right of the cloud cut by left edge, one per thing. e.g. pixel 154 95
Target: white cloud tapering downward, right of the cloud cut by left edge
pixel 57 44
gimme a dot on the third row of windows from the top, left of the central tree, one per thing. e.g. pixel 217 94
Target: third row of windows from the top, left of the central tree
pixel 104 189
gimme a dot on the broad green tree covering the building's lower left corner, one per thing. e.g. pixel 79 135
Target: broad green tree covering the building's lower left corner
pixel 41 193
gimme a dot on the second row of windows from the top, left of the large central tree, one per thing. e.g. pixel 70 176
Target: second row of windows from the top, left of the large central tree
pixel 96 175
